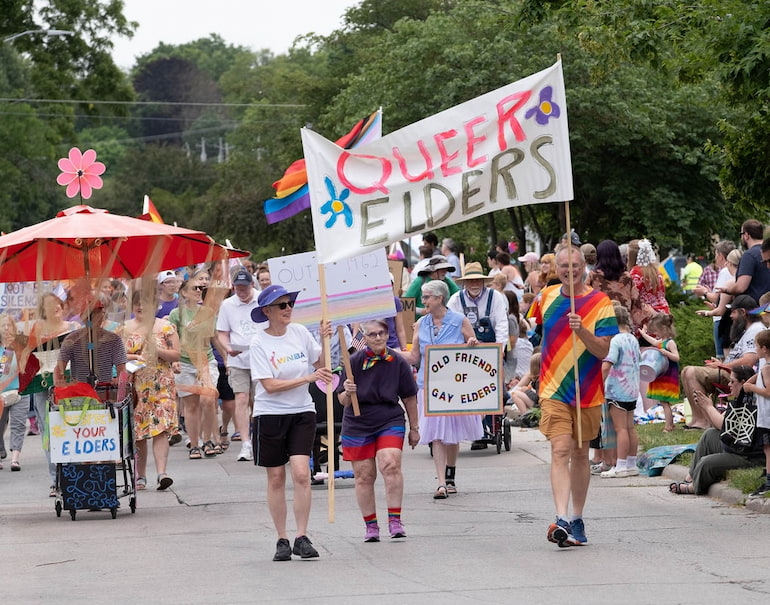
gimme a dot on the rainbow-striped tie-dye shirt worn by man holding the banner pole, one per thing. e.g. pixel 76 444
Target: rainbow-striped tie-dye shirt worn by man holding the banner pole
pixel 557 375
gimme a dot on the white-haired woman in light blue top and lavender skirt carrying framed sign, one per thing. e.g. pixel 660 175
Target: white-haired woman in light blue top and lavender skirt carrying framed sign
pixel 439 325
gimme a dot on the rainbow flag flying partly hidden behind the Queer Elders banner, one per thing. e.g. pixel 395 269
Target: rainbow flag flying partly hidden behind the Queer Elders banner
pixel 291 191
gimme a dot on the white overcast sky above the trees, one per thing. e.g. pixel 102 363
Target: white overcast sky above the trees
pixel 255 24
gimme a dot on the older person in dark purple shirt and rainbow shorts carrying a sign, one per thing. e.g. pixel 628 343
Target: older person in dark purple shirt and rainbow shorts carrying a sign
pixel 374 439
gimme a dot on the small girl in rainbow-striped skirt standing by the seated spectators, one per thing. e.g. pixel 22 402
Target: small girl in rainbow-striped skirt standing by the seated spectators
pixel 660 333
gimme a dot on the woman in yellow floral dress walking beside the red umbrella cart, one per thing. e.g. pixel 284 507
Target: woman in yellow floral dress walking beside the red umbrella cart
pixel 155 415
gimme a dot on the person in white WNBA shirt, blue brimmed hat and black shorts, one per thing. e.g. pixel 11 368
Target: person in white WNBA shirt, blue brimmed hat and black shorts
pixel 284 360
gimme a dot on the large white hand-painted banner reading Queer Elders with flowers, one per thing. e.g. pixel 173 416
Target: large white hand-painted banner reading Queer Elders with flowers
pixel 506 148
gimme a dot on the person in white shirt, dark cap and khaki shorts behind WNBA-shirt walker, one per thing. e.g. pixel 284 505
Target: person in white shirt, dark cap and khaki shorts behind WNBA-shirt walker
pixel 235 329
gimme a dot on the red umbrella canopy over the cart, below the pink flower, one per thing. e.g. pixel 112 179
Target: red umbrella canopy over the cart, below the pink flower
pixel 83 241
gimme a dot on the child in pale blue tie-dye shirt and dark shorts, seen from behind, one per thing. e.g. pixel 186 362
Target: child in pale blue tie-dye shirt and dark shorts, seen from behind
pixel 620 370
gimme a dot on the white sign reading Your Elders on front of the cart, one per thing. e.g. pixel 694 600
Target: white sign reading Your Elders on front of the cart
pixel 94 439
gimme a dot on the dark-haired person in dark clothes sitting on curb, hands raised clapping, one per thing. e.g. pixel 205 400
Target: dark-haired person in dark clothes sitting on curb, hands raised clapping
pixel 712 458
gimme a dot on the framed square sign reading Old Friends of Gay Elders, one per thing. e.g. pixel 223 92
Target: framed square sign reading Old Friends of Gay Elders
pixel 463 380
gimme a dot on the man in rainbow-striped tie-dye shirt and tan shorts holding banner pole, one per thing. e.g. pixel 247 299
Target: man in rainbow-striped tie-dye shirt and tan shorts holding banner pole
pixel 593 324
